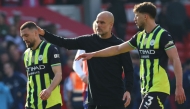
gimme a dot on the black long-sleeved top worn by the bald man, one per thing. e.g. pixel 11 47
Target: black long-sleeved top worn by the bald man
pixel 106 86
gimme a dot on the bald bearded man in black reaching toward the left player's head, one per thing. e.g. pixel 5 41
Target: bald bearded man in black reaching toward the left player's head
pixel 106 88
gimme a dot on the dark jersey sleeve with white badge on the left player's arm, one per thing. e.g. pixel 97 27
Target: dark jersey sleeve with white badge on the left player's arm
pixel 54 56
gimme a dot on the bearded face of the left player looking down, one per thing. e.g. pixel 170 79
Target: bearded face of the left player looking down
pixel 28 36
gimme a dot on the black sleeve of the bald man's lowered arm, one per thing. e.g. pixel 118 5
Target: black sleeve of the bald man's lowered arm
pixel 128 71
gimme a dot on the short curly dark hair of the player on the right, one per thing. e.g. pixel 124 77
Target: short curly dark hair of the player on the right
pixel 146 7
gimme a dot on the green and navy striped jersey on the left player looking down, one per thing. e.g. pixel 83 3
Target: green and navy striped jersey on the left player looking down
pixel 39 63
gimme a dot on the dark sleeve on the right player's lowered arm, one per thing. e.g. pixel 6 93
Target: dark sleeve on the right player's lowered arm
pixel 166 41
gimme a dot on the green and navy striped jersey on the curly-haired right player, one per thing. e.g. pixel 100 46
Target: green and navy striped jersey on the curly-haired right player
pixel 153 59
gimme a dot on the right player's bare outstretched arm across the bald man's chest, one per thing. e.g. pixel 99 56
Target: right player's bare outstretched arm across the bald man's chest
pixel 107 52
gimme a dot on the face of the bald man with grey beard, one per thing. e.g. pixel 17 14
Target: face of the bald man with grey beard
pixel 102 25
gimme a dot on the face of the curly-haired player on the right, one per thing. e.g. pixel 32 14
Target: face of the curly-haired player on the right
pixel 139 20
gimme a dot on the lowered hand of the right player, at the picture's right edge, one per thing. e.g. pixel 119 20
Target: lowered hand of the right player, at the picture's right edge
pixel 180 95
